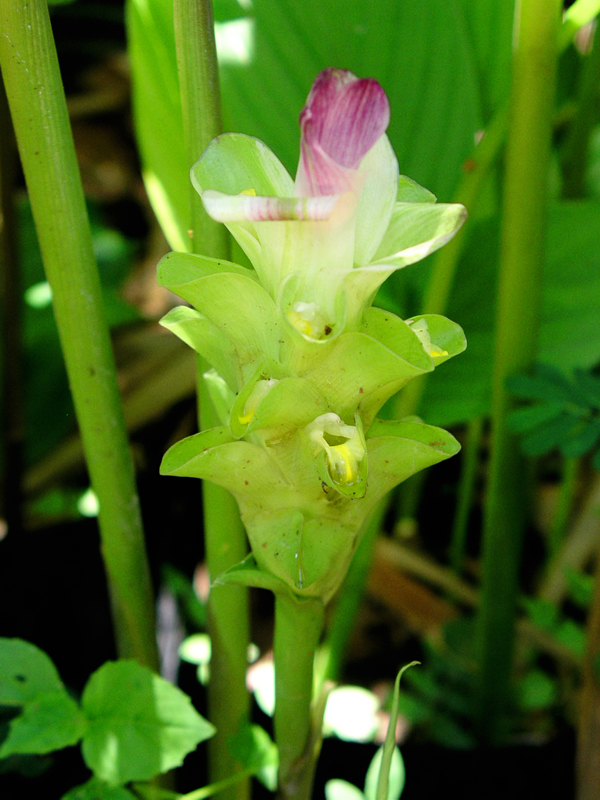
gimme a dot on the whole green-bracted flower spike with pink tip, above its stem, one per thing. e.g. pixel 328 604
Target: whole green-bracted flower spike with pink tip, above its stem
pixel 305 362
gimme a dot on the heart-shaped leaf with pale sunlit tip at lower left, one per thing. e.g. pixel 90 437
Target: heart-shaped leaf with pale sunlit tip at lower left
pixel 139 725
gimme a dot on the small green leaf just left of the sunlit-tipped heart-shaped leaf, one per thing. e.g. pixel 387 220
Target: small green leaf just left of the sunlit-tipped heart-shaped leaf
pixel 49 722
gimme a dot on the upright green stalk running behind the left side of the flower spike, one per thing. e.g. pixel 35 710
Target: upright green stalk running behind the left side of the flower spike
pixel 224 535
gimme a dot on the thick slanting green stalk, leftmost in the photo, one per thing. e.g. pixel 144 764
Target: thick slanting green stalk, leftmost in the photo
pixel 37 102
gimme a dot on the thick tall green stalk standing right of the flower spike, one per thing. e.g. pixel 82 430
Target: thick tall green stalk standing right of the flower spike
pixel 517 323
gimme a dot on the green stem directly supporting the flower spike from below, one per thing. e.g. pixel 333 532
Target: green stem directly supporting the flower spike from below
pixel 298 626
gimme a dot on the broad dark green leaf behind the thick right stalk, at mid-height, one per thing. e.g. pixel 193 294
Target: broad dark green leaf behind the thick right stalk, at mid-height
pixel 570 310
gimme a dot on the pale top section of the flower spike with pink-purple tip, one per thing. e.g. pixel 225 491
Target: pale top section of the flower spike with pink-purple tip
pixel 322 245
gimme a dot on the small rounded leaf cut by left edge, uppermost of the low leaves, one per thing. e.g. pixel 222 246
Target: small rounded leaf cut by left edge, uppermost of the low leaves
pixel 25 673
